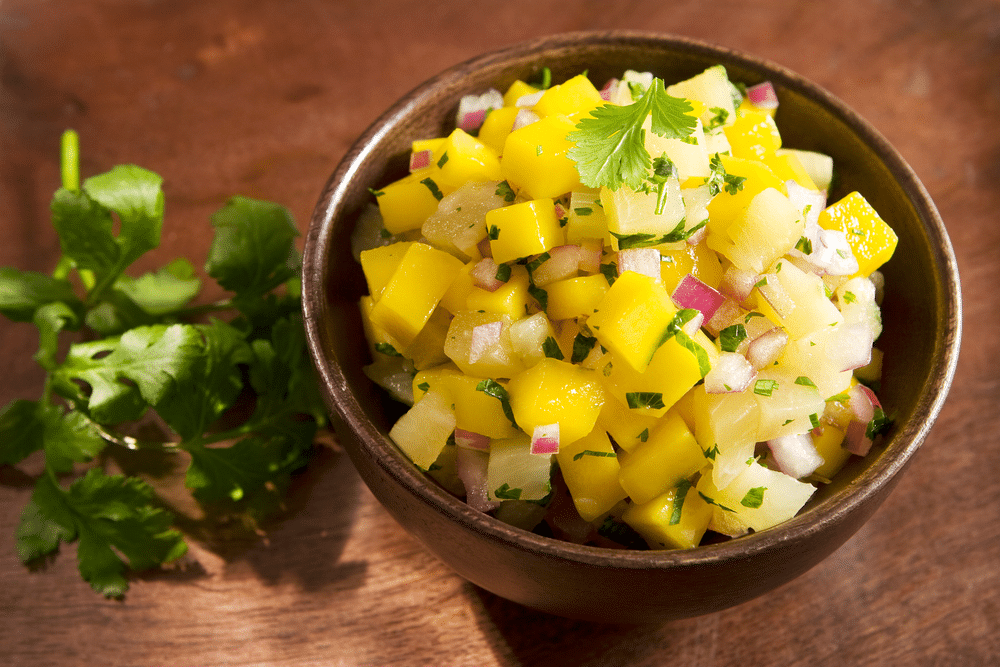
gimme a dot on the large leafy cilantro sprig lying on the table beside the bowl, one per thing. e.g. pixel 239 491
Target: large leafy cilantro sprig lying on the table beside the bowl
pixel 122 354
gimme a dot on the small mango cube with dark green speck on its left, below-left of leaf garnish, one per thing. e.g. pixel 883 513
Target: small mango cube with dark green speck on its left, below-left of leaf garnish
pixel 524 229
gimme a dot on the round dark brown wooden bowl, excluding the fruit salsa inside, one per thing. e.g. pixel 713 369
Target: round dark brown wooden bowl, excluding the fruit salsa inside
pixel 921 311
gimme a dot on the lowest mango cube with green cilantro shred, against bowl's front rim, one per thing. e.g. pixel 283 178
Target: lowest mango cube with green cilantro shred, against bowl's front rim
pixel 676 519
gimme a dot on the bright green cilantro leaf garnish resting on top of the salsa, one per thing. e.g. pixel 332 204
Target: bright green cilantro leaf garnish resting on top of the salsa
pixel 609 143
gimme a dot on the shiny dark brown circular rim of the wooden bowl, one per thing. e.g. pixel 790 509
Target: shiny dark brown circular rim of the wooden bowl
pixel 375 445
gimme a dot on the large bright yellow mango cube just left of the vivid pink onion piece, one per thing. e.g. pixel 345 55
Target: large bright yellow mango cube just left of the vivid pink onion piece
pixel 632 319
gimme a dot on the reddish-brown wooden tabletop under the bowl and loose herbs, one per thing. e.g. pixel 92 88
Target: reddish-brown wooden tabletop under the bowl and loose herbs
pixel 262 99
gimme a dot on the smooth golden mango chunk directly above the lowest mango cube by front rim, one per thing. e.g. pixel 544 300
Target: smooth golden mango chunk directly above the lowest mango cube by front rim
pixel 668 457
